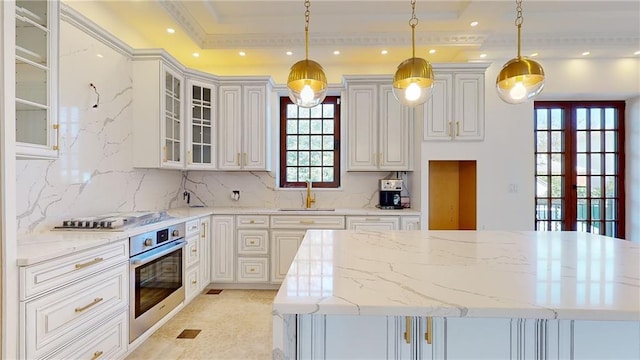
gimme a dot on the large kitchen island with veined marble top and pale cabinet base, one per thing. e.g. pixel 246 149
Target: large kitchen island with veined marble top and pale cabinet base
pixel 459 295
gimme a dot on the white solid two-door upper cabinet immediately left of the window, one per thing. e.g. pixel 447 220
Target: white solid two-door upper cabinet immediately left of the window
pixel 243 133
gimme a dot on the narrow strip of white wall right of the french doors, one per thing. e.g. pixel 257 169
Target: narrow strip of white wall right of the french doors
pixel 632 162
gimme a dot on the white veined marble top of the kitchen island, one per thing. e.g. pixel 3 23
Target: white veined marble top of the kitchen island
pixel 542 275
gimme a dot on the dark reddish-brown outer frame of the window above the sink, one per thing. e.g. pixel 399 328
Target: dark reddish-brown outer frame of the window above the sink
pixel 283 183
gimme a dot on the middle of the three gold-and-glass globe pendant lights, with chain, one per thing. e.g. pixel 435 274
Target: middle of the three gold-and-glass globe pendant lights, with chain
pixel 413 81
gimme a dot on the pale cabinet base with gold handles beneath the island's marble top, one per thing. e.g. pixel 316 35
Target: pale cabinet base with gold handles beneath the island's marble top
pixel 421 338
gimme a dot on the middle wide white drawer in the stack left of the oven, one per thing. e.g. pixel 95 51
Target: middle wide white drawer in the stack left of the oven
pixel 54 319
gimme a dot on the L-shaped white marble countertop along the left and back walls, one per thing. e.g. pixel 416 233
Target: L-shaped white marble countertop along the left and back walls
pixel 47 245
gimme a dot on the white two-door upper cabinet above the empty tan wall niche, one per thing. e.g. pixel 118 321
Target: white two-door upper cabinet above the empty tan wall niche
pixel 455 110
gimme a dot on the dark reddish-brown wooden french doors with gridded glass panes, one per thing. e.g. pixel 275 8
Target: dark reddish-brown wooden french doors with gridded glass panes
pixel 579 151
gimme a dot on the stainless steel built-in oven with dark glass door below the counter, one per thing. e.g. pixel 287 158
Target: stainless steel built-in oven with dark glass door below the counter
pixel 157 277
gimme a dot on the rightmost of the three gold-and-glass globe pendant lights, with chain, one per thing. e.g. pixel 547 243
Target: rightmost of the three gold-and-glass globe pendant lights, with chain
pixel 520 79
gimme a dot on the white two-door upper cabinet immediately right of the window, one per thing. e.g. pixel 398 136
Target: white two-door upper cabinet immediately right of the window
pixel 379 127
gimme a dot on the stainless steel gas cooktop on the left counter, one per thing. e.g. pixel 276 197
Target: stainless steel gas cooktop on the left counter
pixel 114 221
